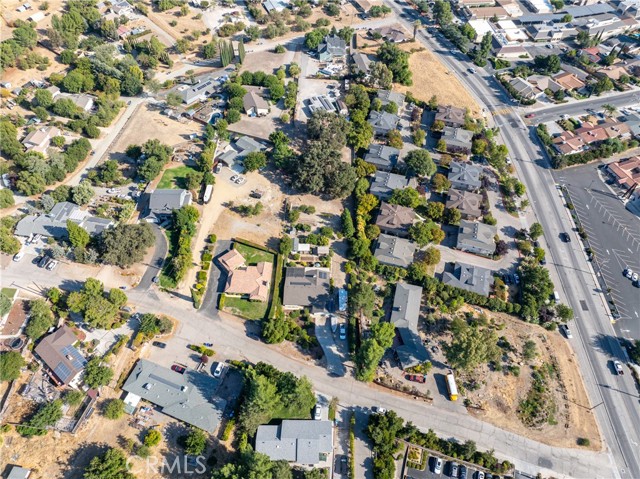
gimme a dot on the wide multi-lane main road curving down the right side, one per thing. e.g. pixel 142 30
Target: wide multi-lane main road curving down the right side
pixel 614 398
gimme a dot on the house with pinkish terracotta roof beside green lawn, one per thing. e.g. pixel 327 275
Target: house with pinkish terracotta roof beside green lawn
pixel 251 281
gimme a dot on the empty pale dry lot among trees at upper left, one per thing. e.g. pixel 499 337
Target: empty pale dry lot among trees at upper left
pixel 147 123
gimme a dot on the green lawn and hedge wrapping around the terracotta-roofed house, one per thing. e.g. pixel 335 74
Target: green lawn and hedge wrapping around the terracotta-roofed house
pixel 241 305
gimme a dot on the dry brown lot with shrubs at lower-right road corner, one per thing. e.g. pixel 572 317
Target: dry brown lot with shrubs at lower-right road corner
pixel 500 394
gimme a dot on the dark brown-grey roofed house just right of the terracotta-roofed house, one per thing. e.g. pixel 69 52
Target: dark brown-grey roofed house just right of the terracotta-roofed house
pixel 306 287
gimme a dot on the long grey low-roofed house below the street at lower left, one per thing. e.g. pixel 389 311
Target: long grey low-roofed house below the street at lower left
pixel 190 397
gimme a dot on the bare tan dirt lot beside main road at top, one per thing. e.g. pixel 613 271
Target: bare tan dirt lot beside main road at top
pixel 430 77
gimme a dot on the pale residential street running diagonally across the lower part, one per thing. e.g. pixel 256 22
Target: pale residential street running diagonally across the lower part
pixel 229 337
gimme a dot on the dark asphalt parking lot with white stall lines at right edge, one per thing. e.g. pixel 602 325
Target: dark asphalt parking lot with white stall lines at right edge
pixel 614 235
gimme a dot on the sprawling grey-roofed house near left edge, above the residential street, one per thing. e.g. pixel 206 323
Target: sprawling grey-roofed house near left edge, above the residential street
pixel 54 223
